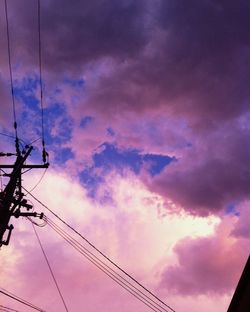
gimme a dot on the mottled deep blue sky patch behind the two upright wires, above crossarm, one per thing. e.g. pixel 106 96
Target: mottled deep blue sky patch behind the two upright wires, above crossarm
pixel 58 125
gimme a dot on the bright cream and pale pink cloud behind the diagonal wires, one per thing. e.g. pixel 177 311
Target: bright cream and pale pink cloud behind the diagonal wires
pixel 126 231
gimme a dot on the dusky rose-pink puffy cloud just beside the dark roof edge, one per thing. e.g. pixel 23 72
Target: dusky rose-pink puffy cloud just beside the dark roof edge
pixel 210 265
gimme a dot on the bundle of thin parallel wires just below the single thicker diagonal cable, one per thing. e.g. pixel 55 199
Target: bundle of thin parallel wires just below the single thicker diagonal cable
pixel 132 289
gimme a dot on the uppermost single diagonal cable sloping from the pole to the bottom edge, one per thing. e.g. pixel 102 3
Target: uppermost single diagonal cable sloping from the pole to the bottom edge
pixel 101 253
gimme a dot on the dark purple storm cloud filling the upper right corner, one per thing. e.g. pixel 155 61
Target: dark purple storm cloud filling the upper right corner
pixel 198 66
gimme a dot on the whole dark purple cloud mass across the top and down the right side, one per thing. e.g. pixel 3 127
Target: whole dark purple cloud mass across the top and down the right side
pixel 190 59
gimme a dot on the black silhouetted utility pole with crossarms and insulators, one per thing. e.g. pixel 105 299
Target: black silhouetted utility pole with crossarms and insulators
pixel 12 201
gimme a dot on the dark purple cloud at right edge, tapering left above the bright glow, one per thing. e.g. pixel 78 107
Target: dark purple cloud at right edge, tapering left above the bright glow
pixel 212 176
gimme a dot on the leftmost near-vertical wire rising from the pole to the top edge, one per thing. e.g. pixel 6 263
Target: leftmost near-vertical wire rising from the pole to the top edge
pixel 10 70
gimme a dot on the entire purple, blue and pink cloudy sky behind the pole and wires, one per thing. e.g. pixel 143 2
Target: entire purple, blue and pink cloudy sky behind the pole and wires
pixel 146 122
